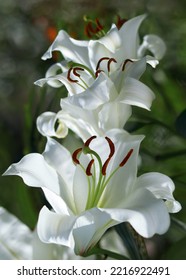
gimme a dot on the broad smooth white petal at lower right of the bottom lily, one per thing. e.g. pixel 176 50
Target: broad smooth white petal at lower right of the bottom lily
pixel 147 214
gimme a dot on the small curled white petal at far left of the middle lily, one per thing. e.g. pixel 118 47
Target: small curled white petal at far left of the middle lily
pixel 46 123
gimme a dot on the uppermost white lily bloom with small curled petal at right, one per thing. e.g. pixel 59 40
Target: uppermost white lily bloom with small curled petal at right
pixel 107 54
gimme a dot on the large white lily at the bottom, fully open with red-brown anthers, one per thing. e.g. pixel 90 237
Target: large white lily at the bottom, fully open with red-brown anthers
pixel 100 191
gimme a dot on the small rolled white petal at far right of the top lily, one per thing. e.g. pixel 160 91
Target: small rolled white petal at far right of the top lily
pixel 154 44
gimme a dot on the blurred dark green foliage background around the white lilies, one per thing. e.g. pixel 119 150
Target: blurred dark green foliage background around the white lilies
pixel 26 32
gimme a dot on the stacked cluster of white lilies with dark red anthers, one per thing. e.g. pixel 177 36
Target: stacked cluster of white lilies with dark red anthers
pixel 97 186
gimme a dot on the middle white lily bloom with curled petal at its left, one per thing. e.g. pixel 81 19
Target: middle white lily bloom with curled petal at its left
pixel 89 113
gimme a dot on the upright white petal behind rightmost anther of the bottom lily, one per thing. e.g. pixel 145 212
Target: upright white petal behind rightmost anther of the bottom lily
pixel 123 181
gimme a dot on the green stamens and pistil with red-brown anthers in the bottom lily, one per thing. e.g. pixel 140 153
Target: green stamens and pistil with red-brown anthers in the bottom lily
pixel 98 176
